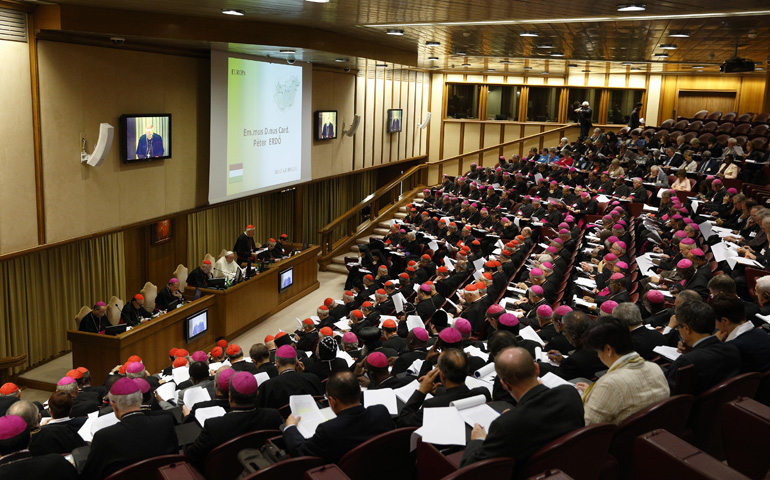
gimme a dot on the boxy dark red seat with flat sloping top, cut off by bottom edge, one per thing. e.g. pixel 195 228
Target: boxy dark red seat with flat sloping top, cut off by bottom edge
pixel 660 451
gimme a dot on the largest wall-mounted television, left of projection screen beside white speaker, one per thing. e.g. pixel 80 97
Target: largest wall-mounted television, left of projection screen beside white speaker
pixel 145 137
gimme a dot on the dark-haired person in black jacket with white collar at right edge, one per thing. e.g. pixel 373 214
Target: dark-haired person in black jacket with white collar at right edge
pixel 753 343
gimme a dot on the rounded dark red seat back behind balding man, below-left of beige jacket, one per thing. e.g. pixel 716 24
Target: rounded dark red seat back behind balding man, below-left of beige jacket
pixel 580 453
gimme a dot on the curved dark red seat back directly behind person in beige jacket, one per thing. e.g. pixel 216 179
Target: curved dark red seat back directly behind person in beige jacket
pixel 670 414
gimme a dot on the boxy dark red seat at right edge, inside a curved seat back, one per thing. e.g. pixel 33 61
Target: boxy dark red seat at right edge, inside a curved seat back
pixel 745 430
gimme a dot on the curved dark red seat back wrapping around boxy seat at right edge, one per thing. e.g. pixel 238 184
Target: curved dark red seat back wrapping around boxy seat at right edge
pixel 704 419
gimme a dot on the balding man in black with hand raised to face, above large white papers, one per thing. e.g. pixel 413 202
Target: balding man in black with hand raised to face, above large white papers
pixel 452 368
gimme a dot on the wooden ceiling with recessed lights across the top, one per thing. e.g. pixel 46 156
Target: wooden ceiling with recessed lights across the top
pixel 478 33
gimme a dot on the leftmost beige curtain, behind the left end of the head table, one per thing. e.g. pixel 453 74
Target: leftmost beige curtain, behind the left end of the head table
pixel 40 294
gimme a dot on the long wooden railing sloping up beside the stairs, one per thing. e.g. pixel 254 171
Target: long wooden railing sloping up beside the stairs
pixel 341 233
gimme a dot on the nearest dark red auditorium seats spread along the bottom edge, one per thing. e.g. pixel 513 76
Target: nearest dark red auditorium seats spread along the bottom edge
pixel 679 437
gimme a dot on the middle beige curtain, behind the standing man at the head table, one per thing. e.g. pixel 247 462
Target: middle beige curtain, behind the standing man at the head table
pixel 216 228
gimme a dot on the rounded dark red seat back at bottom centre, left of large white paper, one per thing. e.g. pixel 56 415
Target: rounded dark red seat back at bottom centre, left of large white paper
pixel 358 463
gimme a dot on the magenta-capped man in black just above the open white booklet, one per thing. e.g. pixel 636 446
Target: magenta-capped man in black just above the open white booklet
pixel 276 392
